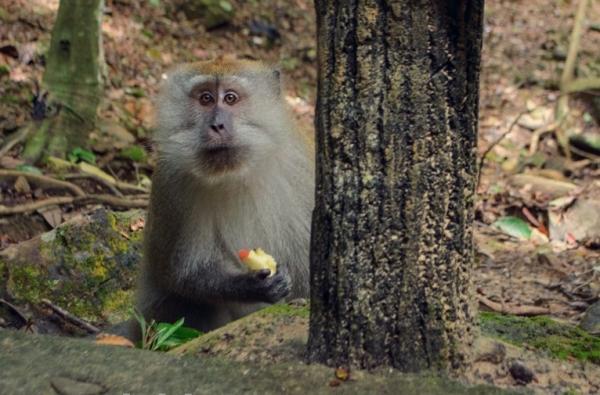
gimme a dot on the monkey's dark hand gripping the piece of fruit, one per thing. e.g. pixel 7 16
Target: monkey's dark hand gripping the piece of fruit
pixel 269 287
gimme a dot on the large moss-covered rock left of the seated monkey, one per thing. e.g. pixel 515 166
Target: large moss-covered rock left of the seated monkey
pixel 86 266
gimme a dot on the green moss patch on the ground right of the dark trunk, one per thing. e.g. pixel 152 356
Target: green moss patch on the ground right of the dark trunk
pixel 560 340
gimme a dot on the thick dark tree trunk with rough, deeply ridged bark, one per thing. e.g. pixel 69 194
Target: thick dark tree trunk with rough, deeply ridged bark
pixel 391 252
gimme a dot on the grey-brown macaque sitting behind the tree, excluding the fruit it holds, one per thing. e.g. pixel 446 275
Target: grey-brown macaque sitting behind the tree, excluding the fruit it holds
pixel 233 173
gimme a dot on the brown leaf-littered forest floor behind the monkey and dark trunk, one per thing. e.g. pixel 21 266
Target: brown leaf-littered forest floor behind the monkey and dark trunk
pixel 555 272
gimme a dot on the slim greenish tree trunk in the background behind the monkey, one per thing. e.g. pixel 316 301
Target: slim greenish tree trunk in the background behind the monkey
pixel 73 77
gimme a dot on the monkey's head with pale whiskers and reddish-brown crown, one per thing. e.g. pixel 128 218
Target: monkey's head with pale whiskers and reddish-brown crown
pixel 220 118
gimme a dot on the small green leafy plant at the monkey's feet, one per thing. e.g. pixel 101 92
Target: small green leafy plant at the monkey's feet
pixel 163 336
